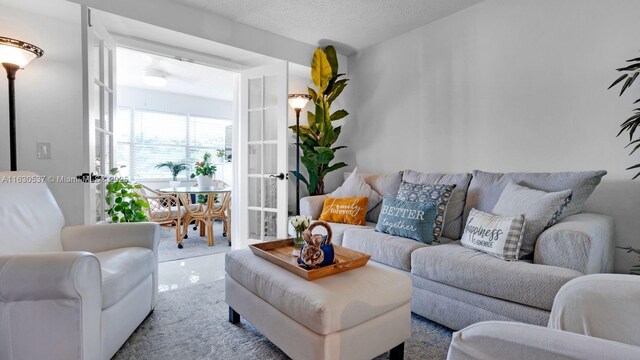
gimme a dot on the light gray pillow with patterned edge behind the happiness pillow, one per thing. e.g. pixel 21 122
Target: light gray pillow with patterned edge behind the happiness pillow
pixel 540 208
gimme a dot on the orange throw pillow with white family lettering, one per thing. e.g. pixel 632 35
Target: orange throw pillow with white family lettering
pixel 345 210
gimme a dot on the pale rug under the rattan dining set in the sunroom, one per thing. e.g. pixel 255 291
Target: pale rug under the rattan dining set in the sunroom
pixel 194 245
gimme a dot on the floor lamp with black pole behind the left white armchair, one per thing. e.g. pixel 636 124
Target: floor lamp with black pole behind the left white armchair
pixel 15 55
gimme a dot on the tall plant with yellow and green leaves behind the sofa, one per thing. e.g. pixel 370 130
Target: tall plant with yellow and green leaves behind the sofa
pixel 318 138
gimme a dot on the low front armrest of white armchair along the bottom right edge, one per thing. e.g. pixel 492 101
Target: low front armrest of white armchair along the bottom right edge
pixel 510 340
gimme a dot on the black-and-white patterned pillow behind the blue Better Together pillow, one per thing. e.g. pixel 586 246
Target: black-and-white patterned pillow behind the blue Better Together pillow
pixel 436 194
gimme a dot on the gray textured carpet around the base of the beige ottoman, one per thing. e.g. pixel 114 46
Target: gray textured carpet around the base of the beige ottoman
pixel 192 323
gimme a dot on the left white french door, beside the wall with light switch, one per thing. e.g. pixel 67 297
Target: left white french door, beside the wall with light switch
pixel 98 69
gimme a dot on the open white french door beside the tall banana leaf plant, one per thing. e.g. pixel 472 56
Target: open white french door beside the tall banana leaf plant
pixel 262 184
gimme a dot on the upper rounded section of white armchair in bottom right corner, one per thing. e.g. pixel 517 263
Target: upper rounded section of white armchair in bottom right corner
pixel 601 305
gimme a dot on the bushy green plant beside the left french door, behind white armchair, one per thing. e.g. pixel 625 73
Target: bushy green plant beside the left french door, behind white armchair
pixel 125 204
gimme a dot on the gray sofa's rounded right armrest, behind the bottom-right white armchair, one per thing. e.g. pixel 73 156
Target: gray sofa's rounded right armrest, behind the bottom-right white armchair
pixel 583 242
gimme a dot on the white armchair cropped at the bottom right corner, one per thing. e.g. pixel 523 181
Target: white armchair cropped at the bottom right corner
pixel 593 317
